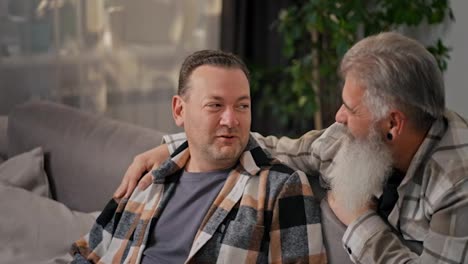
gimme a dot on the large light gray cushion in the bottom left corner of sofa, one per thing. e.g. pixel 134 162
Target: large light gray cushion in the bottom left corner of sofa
pixel 36 229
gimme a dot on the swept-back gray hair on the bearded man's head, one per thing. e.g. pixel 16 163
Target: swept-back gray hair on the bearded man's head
pixel 397 71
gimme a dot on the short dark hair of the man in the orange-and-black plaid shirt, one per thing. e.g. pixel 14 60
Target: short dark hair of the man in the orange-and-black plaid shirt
pixel 208 57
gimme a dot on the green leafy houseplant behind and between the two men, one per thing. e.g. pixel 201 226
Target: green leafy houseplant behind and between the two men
pixel 316 34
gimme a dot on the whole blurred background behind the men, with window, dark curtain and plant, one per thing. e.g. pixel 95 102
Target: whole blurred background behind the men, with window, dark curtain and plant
pixel 120 58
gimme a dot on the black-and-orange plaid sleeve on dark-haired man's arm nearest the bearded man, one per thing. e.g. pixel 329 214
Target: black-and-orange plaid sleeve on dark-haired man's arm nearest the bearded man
pixel 296 233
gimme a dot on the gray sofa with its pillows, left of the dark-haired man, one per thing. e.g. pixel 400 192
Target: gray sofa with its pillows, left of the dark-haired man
pixel 57 166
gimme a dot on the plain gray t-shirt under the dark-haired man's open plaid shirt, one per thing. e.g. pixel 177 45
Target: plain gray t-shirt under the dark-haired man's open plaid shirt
pixel 182 216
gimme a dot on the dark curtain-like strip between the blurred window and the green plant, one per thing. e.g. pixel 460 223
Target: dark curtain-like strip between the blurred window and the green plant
pixel 248 30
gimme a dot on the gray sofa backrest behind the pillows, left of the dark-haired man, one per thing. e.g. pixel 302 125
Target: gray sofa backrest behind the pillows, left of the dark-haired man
pixel 86 155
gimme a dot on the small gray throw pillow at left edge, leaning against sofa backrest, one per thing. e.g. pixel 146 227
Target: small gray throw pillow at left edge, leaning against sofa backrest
pixel 26 171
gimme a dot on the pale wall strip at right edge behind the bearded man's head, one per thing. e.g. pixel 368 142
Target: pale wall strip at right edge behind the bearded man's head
pixel 456 76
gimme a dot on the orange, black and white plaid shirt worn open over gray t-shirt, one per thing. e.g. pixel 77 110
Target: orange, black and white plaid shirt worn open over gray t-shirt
pixel 265 213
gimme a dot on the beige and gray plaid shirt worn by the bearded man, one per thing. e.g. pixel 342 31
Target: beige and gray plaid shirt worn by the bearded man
pixel 429 219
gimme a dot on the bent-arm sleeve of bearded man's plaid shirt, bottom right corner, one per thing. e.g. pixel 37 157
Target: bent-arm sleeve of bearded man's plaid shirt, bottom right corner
pixel 370 240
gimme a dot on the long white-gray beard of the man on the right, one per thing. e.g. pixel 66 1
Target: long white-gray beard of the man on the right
pixel 359 171
